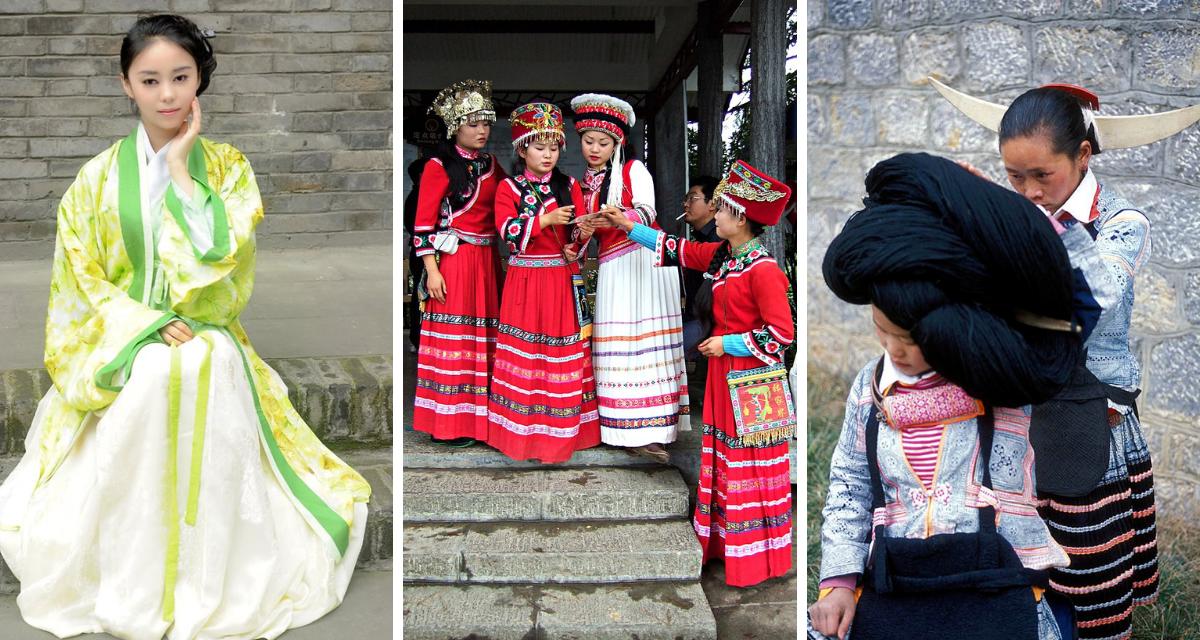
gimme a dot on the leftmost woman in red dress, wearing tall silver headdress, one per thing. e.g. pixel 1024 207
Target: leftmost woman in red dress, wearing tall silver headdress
pixel 457 241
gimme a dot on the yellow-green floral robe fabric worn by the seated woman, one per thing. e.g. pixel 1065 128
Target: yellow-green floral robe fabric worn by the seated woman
pixel 93 322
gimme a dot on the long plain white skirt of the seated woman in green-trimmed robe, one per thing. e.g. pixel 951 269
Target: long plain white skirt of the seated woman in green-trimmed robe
pixel 92 546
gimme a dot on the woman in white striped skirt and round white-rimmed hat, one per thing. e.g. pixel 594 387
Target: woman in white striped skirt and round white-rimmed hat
pixel 638 345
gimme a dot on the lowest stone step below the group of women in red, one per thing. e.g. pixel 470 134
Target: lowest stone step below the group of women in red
pixel 646 611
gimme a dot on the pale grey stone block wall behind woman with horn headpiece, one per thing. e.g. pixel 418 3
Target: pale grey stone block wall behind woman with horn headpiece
pixel 868 101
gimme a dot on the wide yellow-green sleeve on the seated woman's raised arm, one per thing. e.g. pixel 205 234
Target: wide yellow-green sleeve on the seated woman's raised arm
pixel 209 280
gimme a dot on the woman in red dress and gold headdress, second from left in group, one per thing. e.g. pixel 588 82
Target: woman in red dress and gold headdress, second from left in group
pixel 543 402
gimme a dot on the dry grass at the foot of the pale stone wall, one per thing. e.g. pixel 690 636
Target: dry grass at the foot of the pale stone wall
pixel 1175 617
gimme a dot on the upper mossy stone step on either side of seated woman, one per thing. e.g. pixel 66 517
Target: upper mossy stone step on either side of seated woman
pixel 347 402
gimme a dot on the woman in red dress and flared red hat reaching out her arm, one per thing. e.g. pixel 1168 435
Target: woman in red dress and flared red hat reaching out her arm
pixel 745 504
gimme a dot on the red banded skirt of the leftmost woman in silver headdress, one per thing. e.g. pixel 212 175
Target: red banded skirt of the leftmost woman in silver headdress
pixel 454 363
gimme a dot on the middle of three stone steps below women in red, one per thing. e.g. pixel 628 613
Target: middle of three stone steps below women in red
pixel 541 553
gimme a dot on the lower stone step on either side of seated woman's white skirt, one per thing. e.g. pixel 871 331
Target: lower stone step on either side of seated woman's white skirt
pixel 376 468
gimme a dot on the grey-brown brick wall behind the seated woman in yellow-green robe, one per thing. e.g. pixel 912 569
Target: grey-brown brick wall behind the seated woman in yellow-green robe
pixel 303 88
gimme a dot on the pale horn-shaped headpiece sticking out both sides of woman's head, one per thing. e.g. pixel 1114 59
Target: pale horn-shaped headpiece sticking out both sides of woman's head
pixel 1114 131
